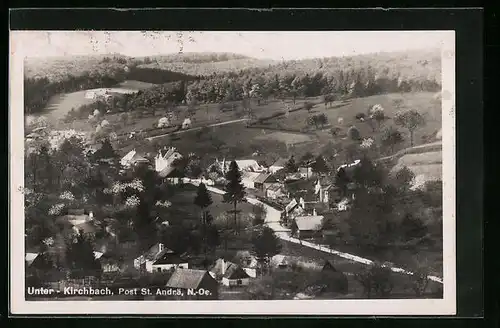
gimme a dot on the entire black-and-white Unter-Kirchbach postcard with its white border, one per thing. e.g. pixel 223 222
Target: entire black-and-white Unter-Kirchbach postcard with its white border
pixel 232 173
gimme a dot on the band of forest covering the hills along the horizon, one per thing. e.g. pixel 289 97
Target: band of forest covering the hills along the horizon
pixel 357 76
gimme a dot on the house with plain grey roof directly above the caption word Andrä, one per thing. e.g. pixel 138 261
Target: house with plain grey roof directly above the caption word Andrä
pixel 188 280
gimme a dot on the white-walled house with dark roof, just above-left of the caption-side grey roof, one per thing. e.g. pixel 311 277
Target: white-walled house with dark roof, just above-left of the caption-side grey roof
pixel 159 258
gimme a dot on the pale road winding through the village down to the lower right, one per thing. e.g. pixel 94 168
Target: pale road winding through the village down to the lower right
pixel 272 221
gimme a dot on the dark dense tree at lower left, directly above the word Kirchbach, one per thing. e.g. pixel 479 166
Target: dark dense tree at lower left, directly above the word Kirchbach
pixel 80 257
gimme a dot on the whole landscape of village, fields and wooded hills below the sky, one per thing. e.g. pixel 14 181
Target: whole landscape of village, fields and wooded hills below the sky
pixel 263 182
